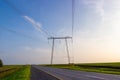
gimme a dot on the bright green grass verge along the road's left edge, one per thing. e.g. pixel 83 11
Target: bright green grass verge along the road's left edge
pixel 22 73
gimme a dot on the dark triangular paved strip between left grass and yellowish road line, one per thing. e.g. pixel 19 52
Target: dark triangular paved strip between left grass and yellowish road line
pixel 37 74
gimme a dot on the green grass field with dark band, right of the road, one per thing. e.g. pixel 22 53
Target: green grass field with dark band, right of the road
pixel 109 68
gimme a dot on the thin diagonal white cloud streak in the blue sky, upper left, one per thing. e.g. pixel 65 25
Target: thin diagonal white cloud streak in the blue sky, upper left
pixel 37 25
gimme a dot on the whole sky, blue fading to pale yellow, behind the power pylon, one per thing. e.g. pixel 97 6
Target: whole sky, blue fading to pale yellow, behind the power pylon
pixel 96 31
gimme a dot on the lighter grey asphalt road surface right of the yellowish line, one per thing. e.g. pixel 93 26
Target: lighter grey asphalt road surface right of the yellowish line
pixel 64 74
